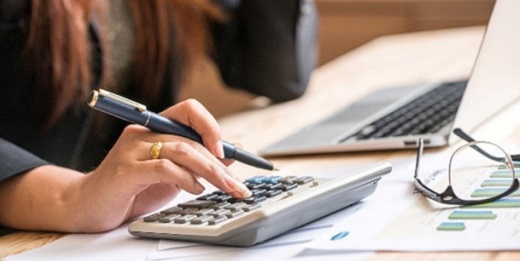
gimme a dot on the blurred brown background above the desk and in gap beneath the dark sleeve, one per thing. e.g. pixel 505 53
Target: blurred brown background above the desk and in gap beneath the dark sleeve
pixel 344 26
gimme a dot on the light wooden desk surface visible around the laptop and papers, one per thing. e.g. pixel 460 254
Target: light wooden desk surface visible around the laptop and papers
pixel 384 62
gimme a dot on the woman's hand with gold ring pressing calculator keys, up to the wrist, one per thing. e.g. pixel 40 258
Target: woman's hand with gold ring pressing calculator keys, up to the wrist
pixel 136 184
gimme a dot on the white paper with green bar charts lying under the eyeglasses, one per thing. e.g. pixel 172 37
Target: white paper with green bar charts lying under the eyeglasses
pixel 399 219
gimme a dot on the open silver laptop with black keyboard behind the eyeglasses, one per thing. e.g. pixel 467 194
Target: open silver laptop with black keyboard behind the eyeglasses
pixel 395 118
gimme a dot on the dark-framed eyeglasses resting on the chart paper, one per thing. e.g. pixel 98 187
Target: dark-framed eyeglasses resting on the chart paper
pixel 479 164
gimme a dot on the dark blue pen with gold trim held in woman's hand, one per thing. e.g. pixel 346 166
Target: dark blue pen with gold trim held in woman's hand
pixel 134 112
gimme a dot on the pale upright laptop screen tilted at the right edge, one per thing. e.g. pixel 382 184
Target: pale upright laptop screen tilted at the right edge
pixel 495 80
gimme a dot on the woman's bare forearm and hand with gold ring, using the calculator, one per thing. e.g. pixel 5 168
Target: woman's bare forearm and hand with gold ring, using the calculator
pixel 128 183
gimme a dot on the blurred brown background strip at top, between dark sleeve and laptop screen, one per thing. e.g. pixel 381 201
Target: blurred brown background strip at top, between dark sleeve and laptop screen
pixel 347 24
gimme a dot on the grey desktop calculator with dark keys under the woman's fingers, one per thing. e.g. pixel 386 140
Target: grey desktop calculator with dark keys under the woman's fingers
pixel 278 204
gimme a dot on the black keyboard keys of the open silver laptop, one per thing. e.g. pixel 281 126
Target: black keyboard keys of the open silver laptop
pixel 426 114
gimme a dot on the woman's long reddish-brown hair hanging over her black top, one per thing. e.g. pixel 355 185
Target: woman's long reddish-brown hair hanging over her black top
pixel 59 48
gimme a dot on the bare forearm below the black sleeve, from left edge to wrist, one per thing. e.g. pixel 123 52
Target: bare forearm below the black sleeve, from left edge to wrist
pixel 41 199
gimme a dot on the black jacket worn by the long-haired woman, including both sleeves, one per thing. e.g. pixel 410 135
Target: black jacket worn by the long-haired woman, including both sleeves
pixel 267 48
